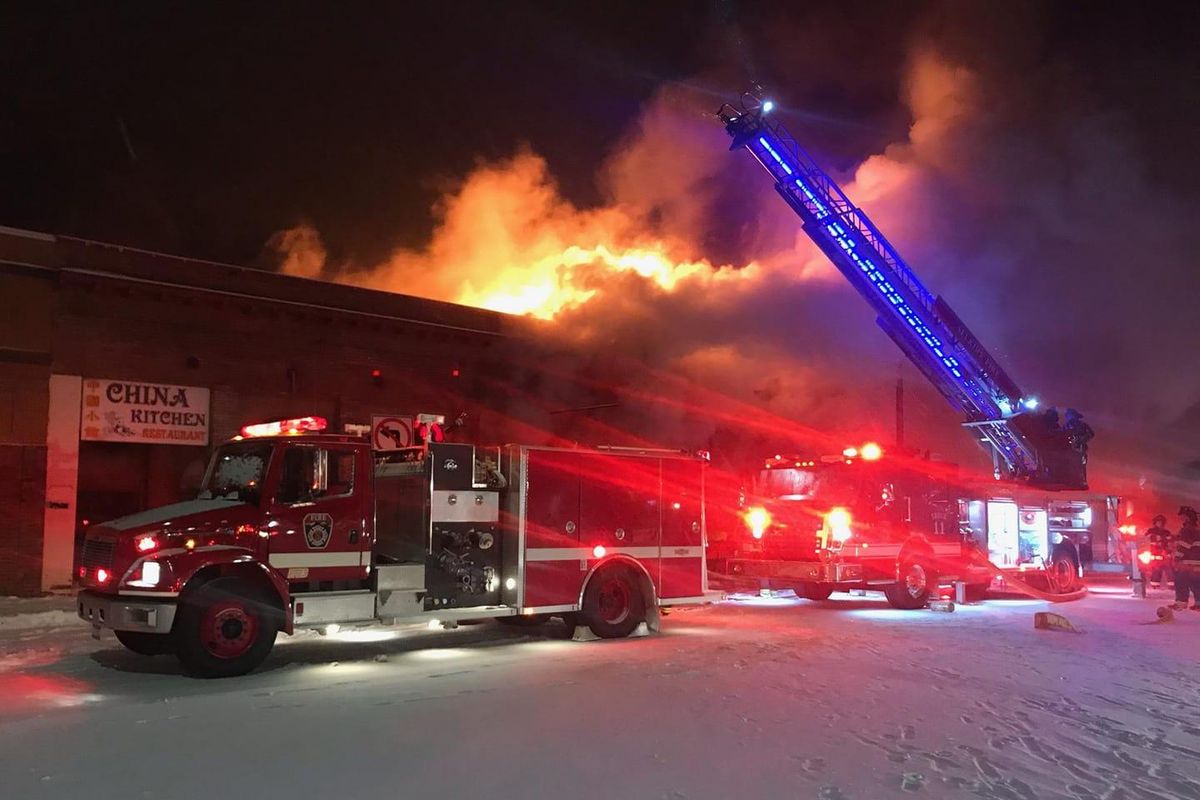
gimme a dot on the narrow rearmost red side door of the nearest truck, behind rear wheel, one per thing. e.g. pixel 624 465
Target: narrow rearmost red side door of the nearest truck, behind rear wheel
pixel 683 543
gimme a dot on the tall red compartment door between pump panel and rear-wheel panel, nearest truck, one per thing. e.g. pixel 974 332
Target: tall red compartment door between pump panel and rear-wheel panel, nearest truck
pixel 553 555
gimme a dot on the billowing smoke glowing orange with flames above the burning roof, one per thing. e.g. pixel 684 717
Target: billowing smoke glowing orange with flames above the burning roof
pixel 697 302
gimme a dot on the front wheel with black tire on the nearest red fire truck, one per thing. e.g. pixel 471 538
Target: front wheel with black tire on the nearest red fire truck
pixel 226 628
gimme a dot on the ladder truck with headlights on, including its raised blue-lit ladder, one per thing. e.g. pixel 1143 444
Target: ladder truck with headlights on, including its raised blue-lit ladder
pixel 879 521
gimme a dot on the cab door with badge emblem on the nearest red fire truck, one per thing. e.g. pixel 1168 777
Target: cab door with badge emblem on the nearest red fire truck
pixel 317 524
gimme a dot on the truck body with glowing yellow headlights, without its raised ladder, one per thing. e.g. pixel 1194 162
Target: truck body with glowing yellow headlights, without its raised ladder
pixel 866 520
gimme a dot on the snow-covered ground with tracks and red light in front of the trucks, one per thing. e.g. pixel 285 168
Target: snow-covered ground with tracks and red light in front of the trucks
pixel 753 699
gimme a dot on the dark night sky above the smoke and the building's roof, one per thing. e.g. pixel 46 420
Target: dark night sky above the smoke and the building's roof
pixel 239 122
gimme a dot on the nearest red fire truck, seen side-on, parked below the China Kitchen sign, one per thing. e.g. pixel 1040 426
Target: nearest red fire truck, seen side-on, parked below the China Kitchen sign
pixel 297 528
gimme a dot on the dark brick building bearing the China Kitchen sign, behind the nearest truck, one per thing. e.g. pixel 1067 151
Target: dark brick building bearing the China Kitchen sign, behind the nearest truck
pixel 87 326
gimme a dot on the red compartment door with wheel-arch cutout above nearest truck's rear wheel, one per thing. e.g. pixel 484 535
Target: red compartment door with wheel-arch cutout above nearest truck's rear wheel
pixel 621 509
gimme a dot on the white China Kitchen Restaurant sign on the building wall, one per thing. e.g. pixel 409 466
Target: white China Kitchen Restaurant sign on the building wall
pixel 159 414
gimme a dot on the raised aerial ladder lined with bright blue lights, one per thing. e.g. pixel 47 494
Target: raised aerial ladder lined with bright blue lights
pixel 1023 444
